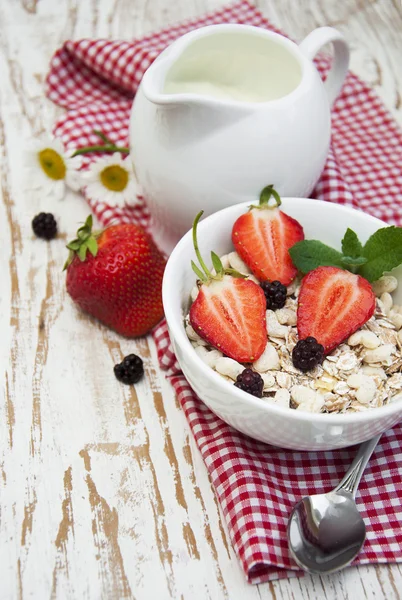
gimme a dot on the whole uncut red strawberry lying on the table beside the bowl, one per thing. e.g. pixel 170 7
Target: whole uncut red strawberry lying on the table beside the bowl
pixel 116 276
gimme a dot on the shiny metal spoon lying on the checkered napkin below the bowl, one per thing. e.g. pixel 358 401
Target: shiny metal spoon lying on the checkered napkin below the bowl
pixel 326 531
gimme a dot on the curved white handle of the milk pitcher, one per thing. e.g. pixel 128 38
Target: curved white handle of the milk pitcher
pixel 337 74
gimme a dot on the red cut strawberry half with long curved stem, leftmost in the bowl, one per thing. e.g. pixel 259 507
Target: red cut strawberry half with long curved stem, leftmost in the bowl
pixel 230 315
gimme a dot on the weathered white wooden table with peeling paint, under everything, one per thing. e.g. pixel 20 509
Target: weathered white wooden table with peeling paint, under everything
pixel 103 493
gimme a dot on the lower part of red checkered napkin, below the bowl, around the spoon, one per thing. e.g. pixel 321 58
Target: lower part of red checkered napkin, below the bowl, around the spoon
pixel 257 485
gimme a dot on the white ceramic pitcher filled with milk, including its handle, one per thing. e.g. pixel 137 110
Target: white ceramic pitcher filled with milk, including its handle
pixel 226 110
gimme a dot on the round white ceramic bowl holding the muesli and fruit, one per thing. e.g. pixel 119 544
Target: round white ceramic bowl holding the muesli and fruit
pixel 261 420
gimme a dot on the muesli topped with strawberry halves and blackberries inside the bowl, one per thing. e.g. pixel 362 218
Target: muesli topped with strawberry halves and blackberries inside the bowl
pixel 351 373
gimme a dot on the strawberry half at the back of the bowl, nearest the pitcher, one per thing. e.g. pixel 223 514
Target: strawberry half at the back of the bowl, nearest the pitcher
pixel 262 238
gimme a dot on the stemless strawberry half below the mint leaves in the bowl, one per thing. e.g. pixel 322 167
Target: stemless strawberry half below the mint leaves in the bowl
pixel 332 305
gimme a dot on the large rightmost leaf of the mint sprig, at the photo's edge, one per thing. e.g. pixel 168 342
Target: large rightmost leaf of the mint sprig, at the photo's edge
pixel 383 251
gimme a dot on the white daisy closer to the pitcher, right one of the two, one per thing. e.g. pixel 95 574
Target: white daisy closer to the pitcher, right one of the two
pixel 111 180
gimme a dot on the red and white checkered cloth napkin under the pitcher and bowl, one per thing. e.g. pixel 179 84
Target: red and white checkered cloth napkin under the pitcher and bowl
pixel 257 485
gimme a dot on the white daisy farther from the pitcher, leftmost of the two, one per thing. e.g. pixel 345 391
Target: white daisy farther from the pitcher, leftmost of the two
pixel 50 169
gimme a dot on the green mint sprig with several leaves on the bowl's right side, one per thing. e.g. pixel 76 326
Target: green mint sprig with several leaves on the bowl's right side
pixel 381 253
